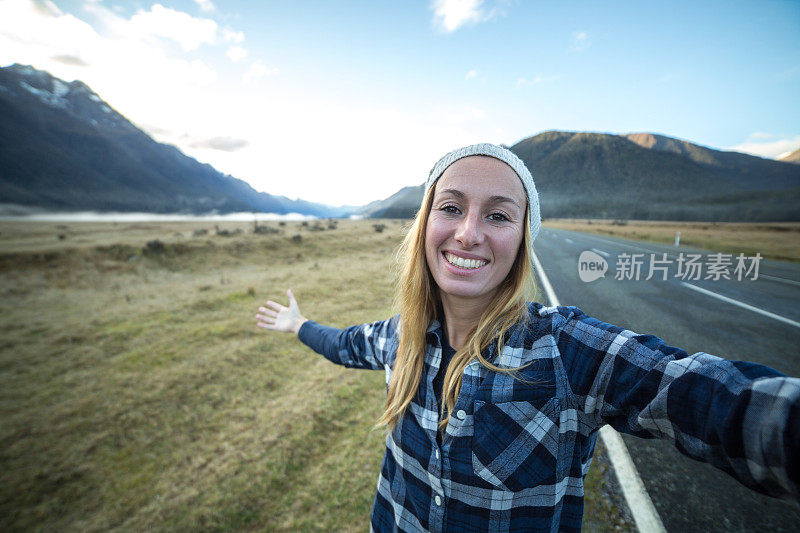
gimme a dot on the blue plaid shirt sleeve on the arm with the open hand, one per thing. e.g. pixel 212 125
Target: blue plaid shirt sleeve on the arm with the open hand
pixel 371 346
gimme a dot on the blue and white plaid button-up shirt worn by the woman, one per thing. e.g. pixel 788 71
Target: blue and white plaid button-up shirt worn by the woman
pixel 514 454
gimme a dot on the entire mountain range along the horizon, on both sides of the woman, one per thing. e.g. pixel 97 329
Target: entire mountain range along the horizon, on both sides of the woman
pixel 63 147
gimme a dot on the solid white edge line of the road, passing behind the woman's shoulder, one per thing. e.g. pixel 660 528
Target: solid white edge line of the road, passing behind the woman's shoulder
pixel 639 502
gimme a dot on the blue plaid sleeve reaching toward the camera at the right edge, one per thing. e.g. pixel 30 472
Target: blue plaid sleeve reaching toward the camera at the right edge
pixel 741 417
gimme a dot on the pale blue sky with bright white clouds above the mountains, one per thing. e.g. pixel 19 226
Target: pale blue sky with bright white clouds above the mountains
pixel 346 102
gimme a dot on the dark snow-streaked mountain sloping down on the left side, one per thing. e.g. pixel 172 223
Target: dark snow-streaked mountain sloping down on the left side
pixel 62 147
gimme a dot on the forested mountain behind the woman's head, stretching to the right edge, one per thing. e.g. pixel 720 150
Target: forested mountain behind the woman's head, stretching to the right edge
pixel 644 176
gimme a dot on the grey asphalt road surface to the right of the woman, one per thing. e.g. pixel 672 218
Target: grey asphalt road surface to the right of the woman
pixel 689 495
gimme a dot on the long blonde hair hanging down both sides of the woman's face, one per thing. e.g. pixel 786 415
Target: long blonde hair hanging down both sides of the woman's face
pixel 416 300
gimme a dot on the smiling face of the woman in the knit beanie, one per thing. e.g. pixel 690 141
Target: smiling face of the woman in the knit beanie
pixel 474 228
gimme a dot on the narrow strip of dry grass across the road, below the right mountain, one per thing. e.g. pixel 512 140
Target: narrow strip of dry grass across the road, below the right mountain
pixel 773 240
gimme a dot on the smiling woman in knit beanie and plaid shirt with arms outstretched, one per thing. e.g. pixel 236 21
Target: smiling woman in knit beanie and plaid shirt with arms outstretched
pixel 494 403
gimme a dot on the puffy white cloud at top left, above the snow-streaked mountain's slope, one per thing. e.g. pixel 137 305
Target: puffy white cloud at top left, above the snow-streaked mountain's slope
pixel 164 22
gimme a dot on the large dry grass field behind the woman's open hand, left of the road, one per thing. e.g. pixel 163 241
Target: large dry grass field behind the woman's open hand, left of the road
pixel 136 393
